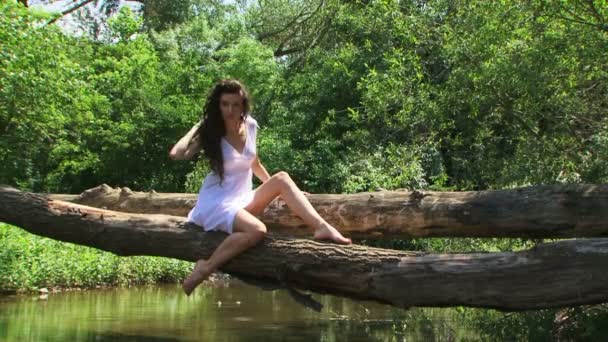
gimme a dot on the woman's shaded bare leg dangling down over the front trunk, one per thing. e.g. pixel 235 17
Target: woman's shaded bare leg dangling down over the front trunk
pixel 247 232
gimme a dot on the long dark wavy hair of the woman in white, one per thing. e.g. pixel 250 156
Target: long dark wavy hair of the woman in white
pixel 213 129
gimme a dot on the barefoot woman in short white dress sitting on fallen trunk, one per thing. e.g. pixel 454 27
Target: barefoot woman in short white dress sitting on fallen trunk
pixel 227 137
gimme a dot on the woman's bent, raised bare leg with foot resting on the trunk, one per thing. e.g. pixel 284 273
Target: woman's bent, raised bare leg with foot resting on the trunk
pixel 282 184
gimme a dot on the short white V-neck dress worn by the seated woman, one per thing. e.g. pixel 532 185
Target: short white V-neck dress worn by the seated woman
pixel 217 205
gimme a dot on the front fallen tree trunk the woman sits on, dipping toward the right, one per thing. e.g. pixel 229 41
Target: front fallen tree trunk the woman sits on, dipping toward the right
pixel 551 275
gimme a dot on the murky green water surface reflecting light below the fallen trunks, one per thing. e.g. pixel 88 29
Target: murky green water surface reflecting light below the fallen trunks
pixel 237 312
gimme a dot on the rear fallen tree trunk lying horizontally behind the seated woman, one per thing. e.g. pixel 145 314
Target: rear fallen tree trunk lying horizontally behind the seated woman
pixel 535 212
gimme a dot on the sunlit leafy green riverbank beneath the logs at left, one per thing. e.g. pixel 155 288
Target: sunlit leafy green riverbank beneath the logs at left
pixel 29 263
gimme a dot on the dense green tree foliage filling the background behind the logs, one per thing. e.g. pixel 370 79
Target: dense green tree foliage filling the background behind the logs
pixel 361 95
